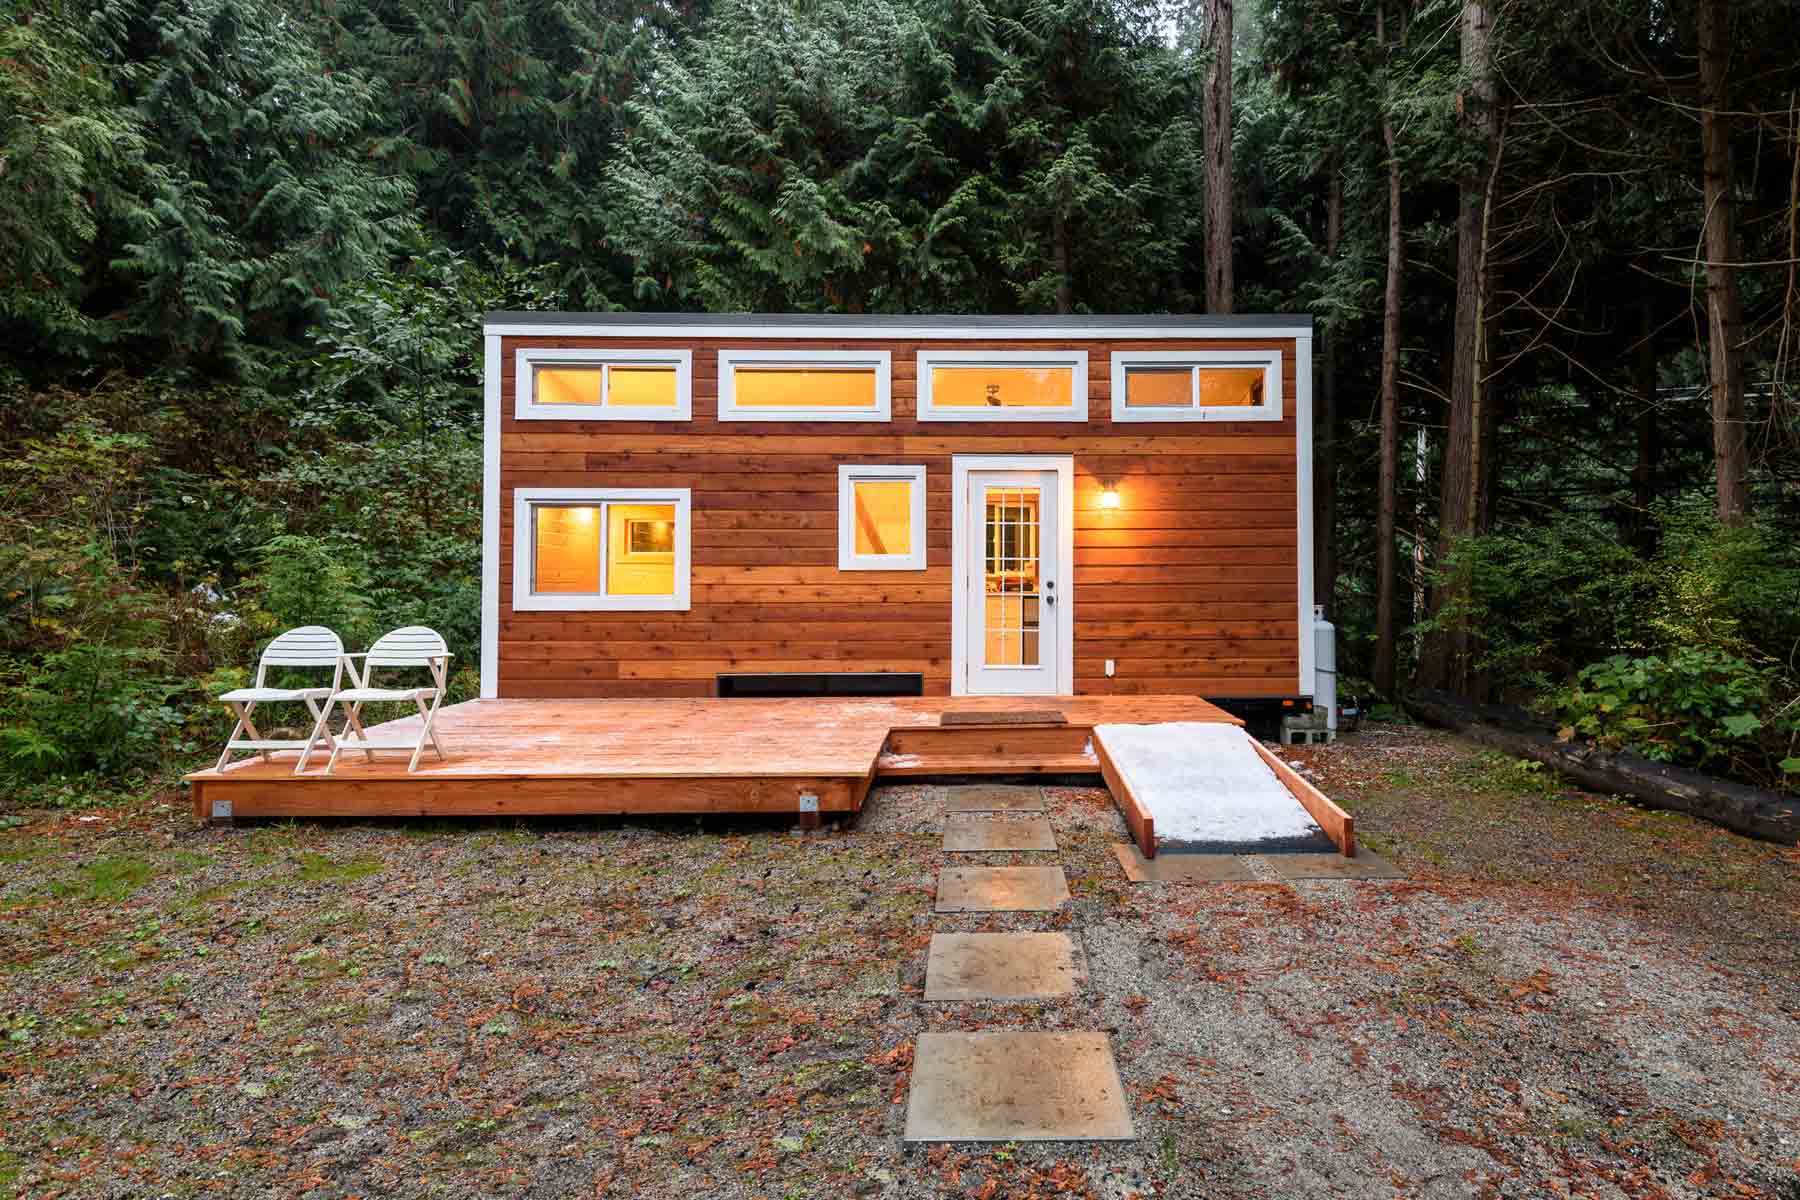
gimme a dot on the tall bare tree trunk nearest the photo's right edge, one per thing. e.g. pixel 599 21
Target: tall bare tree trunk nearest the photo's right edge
pixel 1723 314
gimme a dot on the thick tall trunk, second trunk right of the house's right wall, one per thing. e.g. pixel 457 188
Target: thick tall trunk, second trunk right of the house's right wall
pixel 1462 505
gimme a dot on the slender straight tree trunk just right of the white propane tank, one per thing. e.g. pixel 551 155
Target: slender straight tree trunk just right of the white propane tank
pixel 1387 553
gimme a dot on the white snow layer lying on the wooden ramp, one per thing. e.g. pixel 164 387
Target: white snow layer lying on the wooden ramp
pixel 1209 791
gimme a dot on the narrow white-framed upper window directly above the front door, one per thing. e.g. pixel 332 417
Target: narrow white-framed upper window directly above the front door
pixel 1003 386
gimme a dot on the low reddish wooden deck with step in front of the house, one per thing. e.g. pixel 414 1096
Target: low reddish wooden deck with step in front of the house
pixel 685 757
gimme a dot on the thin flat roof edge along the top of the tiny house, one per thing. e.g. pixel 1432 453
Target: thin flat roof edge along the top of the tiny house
pixel 904 321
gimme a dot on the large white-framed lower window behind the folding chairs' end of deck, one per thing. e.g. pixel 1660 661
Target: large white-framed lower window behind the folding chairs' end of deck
pixel 602 550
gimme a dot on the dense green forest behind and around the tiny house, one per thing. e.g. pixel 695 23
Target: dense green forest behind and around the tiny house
pixel 1551 251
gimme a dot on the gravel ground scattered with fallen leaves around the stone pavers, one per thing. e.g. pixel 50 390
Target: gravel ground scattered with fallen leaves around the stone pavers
pixel 1567 998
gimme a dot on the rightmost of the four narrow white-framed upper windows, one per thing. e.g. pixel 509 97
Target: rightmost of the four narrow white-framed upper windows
pixel 1198 386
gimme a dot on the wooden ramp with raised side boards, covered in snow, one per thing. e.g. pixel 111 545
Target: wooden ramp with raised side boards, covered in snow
pixel 1212 789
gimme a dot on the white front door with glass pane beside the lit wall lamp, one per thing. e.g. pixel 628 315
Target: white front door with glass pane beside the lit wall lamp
pixel 1012 578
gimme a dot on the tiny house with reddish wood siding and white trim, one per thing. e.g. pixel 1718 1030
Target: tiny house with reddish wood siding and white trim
pixel 942 506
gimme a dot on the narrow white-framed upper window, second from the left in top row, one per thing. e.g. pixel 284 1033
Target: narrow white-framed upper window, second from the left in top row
pixel 805 386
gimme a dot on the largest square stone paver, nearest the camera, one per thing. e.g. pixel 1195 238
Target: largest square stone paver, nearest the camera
pixel 1016 1088
